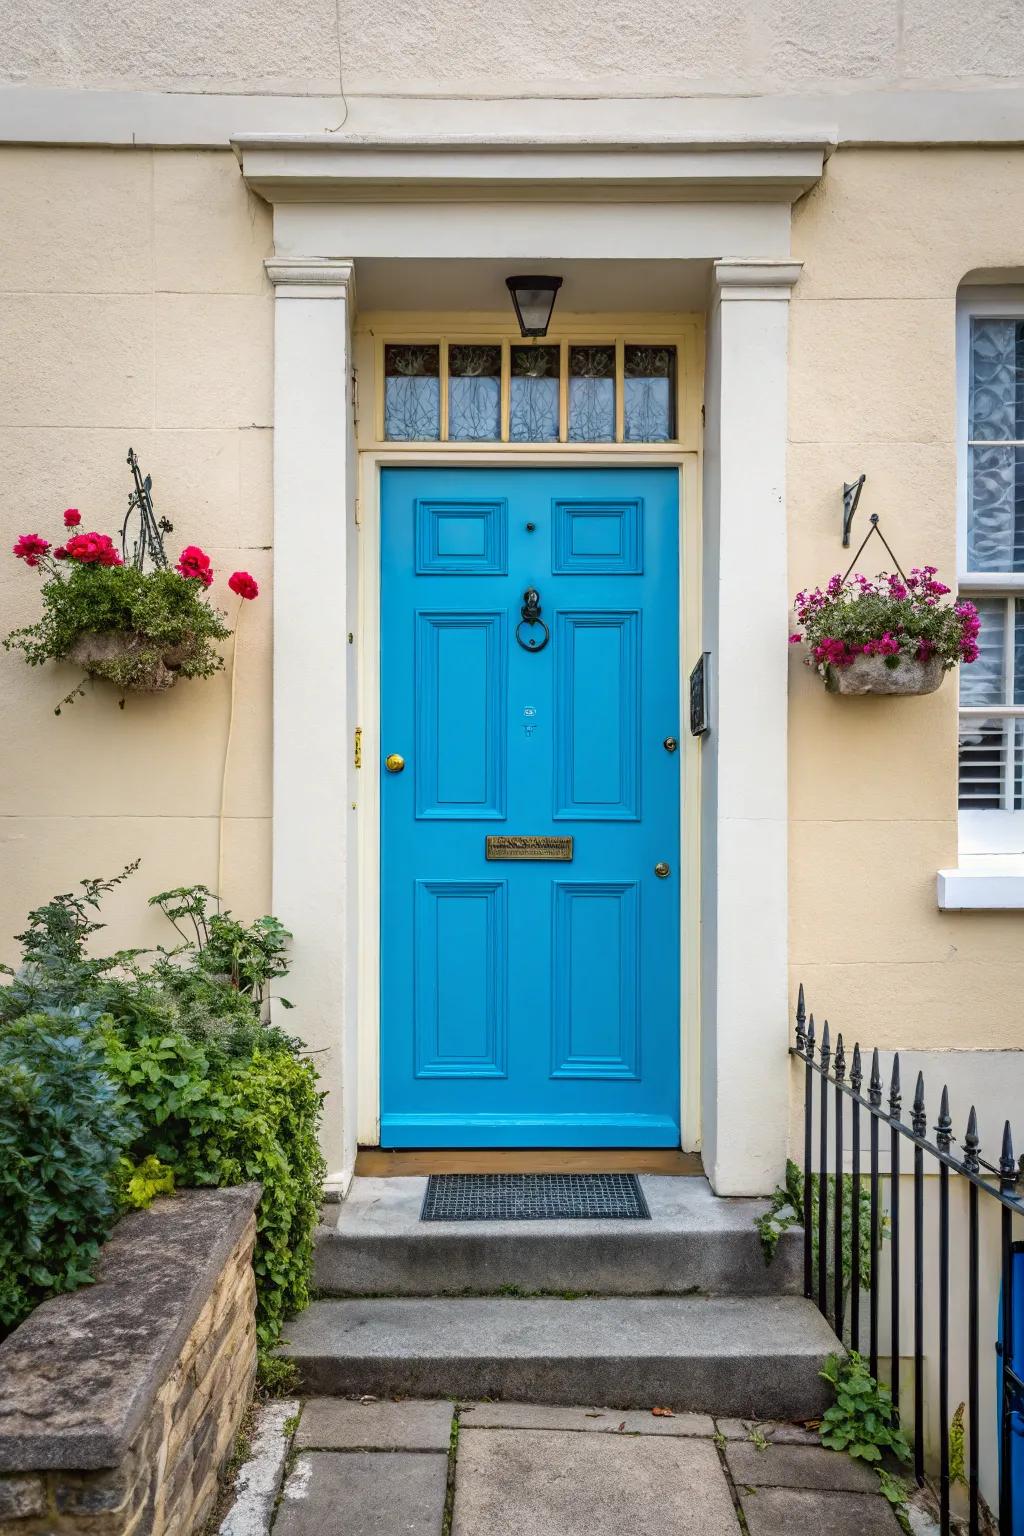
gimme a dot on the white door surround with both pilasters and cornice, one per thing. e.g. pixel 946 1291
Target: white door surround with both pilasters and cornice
pixel 524 202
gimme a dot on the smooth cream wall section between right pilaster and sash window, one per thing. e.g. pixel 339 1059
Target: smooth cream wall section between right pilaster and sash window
pixel 887 239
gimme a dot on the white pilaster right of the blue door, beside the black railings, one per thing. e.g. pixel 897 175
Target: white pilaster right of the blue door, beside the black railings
pixel 745 1078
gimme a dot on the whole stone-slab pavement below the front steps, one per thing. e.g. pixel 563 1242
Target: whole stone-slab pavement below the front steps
pixel 507 1469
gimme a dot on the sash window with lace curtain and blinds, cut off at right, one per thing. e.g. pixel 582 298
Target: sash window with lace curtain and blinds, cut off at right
pixel 993 577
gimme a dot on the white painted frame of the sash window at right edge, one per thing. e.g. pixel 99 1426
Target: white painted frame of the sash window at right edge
pixel 983 832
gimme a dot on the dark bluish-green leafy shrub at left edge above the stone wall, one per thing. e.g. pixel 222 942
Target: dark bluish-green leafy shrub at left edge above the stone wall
pixel 65 1130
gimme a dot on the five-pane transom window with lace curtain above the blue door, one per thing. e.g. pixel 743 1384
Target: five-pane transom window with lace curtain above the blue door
pixel 510 391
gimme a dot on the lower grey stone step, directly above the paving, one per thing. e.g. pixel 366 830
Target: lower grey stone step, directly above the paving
pixel 741 1357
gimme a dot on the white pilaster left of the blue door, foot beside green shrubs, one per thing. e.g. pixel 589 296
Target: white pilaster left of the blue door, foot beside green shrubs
pixel 314 844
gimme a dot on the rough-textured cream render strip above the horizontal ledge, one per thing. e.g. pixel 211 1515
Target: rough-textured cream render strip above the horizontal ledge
pixel 398 47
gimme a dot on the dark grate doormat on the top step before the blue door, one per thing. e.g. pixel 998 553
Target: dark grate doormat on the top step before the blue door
pixel 535 1197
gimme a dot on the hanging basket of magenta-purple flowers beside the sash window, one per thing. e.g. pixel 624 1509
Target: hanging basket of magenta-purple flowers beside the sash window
pixel 893 635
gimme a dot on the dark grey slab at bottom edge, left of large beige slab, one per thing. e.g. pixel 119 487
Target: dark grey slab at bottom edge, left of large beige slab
pixel 365 1494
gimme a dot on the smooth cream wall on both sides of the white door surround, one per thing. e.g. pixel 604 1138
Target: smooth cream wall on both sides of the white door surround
pixel 136 311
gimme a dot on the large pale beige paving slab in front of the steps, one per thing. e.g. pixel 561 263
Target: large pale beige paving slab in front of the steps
pixel 557 1483
